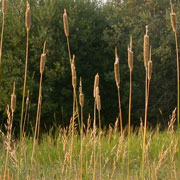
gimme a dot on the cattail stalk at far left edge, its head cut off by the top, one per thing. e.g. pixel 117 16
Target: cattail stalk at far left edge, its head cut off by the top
pixel 4 8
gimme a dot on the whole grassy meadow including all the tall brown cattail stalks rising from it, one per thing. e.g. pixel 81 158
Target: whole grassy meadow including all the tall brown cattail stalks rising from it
pixel 85 149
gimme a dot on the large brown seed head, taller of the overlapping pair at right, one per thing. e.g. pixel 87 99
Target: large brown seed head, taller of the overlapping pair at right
pixel 146 47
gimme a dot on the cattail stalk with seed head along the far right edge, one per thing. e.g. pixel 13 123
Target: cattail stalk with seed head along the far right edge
pixel 174 27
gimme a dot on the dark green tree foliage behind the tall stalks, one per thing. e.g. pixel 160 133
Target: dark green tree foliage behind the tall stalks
pixel 95 29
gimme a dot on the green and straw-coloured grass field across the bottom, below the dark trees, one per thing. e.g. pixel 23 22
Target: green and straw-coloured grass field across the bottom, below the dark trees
pixel 52 156
